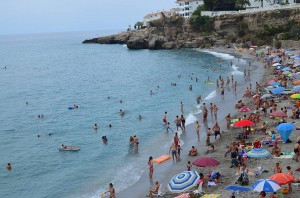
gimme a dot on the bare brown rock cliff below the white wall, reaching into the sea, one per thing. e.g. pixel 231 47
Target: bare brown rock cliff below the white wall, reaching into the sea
pixel 169 36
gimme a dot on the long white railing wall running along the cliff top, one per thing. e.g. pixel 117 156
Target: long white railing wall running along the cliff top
pixel 274 7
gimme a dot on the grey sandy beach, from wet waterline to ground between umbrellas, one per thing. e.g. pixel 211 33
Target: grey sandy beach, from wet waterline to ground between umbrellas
pixel 164 172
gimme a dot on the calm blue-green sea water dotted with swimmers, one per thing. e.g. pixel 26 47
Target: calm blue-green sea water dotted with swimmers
pixel 54 71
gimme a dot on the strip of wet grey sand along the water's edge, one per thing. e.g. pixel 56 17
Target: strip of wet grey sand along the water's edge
pixel 165 171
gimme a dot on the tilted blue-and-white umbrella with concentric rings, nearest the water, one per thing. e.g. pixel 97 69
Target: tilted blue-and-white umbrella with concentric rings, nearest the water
pixel 183 181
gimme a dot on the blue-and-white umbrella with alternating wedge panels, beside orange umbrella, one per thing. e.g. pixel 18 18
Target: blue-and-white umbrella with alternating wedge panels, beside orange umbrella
pixel 266 185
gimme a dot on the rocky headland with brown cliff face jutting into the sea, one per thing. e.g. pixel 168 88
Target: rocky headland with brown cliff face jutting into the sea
pixel 264 27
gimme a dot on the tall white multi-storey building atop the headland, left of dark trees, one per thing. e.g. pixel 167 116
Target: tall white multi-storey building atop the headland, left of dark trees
pixel 187 7
